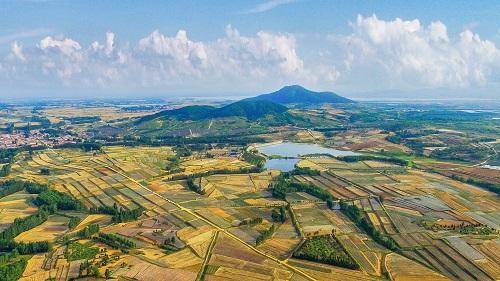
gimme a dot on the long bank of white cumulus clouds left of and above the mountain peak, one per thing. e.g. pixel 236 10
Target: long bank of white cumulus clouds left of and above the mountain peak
pixel 160 61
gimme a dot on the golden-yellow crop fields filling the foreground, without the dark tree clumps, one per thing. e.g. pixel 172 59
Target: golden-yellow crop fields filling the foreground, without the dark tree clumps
pixel 425 214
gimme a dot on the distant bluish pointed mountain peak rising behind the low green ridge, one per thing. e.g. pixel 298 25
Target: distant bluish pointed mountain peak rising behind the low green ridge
pixel 299 94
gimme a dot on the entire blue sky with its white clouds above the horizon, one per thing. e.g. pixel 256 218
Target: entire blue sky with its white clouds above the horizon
pixel 166 48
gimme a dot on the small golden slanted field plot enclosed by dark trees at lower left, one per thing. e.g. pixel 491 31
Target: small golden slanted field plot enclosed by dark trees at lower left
pixel 48 231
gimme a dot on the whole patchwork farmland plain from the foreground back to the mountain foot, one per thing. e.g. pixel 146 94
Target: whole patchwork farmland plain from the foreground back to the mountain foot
pixel 195 208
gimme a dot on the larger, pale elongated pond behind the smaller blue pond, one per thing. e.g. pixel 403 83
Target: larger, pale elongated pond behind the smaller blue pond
pixel 294 150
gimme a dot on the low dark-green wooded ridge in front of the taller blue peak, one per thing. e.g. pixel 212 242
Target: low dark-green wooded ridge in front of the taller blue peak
pixel 250 110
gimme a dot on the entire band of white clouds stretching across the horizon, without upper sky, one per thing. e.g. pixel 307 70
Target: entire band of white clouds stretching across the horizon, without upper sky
pixel 377 55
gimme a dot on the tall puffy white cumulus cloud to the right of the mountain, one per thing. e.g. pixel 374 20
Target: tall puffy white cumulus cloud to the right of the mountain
pixel 407 54
